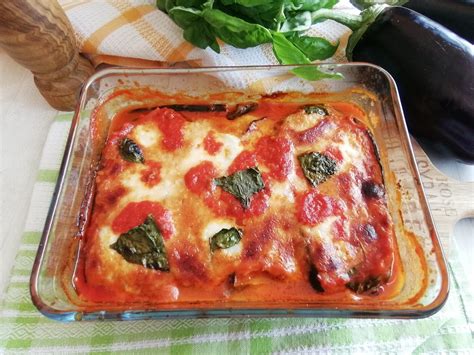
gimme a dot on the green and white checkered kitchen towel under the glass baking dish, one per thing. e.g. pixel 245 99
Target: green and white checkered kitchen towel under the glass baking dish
pixel 24 329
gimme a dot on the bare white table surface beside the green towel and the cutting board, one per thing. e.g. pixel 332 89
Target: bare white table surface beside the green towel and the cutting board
pixel 25 119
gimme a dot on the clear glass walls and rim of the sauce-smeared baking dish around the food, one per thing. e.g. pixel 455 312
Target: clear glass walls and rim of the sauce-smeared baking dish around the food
pixel 425 286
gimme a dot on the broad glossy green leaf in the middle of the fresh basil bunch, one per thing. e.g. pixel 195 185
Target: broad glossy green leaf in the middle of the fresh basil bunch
pixel 235 31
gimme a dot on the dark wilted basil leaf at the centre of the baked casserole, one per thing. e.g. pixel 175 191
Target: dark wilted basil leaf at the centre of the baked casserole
pixel 242 184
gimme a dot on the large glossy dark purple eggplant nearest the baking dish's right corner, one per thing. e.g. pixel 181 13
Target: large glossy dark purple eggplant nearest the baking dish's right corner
pixel 434 71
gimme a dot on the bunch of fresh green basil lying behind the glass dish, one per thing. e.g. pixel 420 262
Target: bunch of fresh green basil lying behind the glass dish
pixel 249 23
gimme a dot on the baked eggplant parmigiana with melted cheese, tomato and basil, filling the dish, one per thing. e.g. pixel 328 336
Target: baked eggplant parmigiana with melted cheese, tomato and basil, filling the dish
pixel 260 200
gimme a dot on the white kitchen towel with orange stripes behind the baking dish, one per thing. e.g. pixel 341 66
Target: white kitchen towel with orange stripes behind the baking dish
pixel 136 33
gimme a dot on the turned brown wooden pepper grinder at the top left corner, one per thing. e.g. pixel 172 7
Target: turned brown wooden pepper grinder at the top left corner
pixel 38 35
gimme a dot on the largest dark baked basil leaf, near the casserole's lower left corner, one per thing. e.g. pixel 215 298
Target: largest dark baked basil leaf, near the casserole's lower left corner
pixel 143 245
